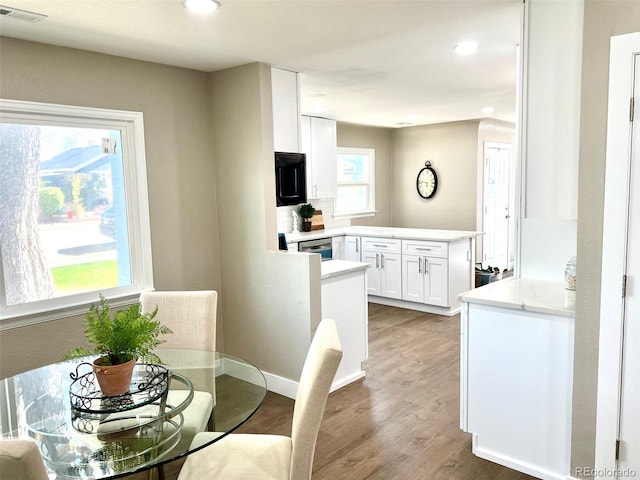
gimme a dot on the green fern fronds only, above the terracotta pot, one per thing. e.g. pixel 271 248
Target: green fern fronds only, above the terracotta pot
pixel 126 335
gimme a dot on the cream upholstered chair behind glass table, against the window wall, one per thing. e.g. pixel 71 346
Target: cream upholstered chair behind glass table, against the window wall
pixel 191 315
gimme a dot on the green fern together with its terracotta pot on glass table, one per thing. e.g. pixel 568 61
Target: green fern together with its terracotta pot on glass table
pixel 122 339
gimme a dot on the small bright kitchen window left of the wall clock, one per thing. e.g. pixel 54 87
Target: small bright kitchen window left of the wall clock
pixel 356 173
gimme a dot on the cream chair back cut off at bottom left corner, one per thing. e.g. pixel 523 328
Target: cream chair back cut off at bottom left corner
pixel 21 460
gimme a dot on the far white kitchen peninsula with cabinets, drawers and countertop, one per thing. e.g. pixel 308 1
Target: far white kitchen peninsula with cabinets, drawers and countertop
pixel 418 269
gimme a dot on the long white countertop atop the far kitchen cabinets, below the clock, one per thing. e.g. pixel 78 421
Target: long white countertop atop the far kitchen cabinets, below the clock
pixel 387 232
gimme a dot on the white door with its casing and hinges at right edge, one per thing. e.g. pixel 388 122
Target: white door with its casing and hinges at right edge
pixel 618 416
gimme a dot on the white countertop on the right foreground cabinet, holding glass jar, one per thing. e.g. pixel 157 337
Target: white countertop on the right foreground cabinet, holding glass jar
pixel 525 294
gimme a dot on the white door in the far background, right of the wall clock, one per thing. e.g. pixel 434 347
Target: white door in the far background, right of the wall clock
pixel 496 213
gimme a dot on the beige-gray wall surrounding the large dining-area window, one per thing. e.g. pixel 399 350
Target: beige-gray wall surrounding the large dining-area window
pixel 180 169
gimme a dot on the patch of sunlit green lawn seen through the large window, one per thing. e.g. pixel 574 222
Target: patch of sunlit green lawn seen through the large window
pixel 85 276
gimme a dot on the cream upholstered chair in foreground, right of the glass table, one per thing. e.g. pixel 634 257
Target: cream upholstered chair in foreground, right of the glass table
pixel 271 457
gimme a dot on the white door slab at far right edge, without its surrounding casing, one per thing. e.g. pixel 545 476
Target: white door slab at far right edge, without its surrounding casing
pixel 629 434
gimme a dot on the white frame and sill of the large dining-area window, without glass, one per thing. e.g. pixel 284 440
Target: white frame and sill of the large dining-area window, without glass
pixel 131 127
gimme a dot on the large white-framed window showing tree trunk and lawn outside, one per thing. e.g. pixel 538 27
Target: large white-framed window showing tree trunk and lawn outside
pixel 74 220
